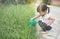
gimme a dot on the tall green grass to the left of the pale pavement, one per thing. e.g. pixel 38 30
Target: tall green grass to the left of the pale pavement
pixel 14 21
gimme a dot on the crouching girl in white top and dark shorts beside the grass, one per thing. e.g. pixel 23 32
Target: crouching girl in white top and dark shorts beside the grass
pixel 45 19
